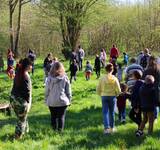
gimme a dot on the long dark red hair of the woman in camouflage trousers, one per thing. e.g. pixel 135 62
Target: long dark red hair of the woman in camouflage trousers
pixel 20 75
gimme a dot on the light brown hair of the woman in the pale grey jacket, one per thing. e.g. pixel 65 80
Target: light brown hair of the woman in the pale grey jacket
pixel 57 69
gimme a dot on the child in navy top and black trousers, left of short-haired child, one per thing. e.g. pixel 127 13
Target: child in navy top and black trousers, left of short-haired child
pixel 135 112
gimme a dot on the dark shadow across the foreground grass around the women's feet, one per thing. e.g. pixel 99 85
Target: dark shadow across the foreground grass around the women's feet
pixel 84 123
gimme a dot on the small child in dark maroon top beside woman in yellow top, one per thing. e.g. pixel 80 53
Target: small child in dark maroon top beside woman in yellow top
pixel 121 103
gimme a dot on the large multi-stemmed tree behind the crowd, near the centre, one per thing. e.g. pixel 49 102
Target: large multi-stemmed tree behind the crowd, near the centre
pixel 71 16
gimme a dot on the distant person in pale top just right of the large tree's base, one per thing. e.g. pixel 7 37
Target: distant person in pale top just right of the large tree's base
pixel 80 57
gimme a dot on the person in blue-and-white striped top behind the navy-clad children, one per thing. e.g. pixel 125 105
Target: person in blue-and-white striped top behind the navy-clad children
pixel 129 72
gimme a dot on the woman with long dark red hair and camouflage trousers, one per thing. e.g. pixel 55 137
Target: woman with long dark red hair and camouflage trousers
pixel 21 97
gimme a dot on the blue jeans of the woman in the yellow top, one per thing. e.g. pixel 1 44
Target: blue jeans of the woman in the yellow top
pixel 108 107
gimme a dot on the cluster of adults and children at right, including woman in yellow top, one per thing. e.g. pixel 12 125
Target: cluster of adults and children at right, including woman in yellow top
pixel 141 88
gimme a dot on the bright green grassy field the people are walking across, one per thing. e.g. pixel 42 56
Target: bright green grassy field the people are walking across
pixel 83 128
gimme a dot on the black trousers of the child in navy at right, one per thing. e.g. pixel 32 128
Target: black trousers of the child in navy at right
pixel 135 117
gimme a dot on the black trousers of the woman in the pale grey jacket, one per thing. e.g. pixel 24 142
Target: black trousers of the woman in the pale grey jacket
pixel 58 117
